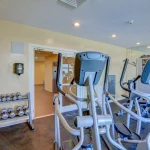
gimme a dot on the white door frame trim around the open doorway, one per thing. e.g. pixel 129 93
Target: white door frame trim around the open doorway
pixel 32 48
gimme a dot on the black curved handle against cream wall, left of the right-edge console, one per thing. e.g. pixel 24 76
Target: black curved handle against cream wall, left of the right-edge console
pixel 123 74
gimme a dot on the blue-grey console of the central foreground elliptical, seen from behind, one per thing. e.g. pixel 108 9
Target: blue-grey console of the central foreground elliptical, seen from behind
pixel 87 63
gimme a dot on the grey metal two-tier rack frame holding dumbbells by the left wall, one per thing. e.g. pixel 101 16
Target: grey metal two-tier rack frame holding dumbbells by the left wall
pixel 29 117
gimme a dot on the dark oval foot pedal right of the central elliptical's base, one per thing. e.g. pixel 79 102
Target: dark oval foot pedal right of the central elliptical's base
pixel 123 130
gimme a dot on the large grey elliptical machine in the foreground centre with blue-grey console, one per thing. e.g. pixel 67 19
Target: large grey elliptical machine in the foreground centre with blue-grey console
pixel 88 69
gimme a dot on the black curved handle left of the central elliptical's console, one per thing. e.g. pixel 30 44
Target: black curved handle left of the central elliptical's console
pixel 58 74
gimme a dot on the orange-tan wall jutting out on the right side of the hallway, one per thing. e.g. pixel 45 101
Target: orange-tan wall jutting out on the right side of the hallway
pixel 49 72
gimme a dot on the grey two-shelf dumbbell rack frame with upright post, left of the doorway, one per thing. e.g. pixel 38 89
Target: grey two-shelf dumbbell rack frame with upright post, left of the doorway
pixel 24 98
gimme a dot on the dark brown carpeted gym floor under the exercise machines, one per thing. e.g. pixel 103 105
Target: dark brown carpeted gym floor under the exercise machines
pixel 20 137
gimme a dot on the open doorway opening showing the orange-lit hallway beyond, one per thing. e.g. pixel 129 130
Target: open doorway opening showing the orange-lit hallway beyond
pixel 45 66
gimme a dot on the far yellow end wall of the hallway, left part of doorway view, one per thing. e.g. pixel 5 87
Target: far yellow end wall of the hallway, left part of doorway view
pixel 39 72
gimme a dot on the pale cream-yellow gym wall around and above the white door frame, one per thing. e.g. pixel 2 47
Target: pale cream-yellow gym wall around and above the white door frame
pixel 16 32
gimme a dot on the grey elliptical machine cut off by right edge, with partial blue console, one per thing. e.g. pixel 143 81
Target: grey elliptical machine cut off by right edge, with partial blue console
pixel 125 135
